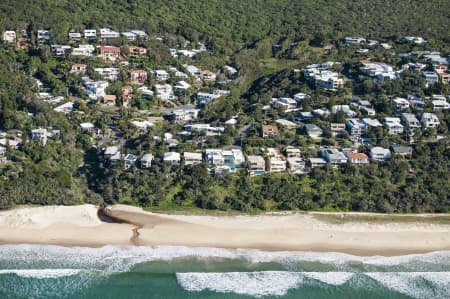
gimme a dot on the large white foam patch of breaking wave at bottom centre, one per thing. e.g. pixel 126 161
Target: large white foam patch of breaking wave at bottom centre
pixel 255 284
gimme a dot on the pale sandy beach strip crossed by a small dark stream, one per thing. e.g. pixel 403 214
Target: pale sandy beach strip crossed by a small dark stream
pixel 80 226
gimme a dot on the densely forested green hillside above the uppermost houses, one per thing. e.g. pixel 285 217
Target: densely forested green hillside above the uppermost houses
pixel 230 25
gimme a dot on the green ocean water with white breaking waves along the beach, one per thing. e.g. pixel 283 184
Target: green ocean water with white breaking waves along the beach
pixel 36 271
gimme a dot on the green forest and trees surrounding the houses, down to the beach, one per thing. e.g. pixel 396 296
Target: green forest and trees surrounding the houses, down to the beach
pixel 69 169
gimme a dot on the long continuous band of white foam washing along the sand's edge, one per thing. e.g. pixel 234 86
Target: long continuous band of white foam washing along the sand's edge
pixel 122 258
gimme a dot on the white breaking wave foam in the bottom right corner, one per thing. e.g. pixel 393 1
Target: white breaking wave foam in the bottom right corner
pixel 430 285
